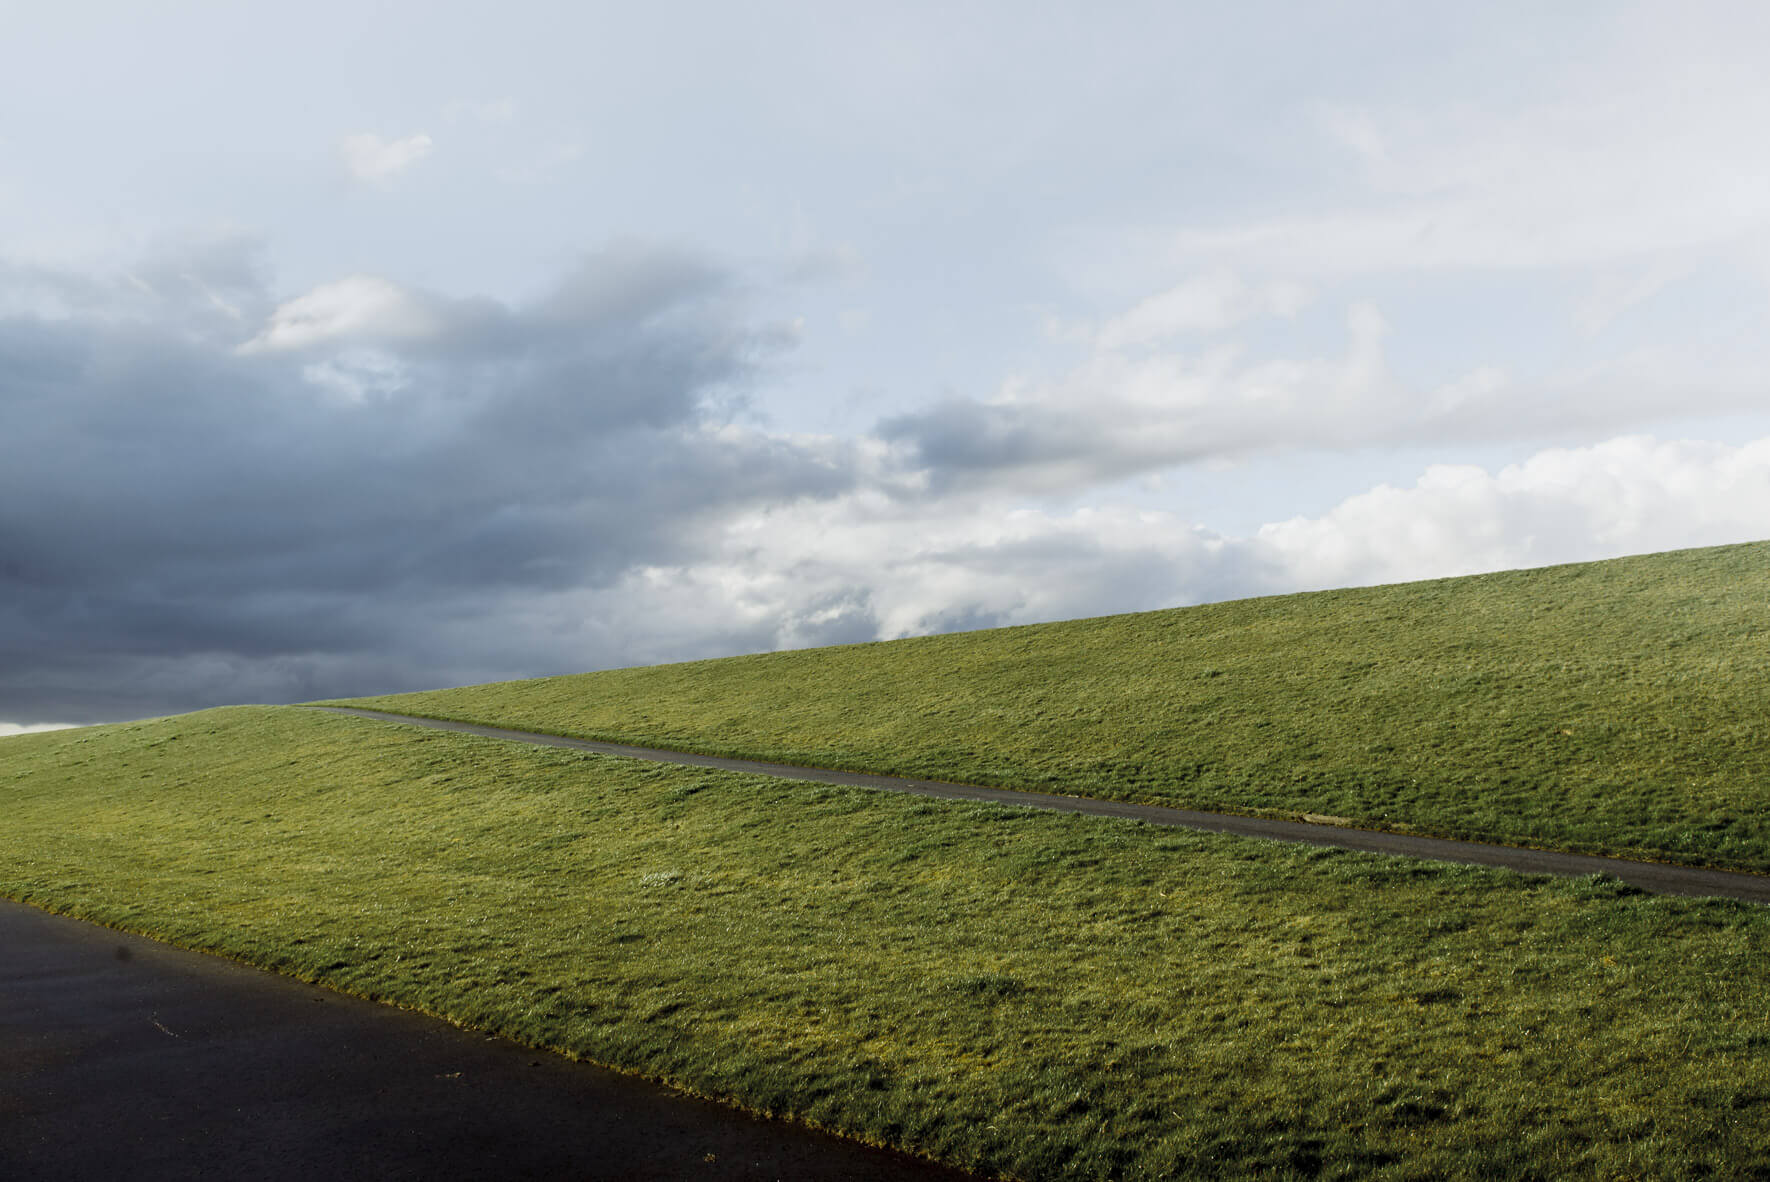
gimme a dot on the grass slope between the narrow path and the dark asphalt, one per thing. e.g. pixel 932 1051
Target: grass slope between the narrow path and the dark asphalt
pixel 1015 992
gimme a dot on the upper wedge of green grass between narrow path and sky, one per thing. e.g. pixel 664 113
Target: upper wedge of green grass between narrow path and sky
pixel 1610 707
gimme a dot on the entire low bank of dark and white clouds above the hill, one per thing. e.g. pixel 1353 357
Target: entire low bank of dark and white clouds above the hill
pixel 210 495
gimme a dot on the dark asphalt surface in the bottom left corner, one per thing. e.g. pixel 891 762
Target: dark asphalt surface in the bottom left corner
pixel 128 1059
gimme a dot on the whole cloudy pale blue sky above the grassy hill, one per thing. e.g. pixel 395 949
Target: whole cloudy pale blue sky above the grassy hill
pixel 357 349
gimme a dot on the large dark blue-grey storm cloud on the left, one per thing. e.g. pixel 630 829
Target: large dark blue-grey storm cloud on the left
pixel 189 523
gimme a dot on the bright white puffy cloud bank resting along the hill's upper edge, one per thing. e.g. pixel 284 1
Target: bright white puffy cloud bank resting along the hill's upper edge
pixel 872 567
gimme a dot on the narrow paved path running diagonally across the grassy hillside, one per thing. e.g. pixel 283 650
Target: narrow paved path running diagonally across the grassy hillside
pixel 1654 877
